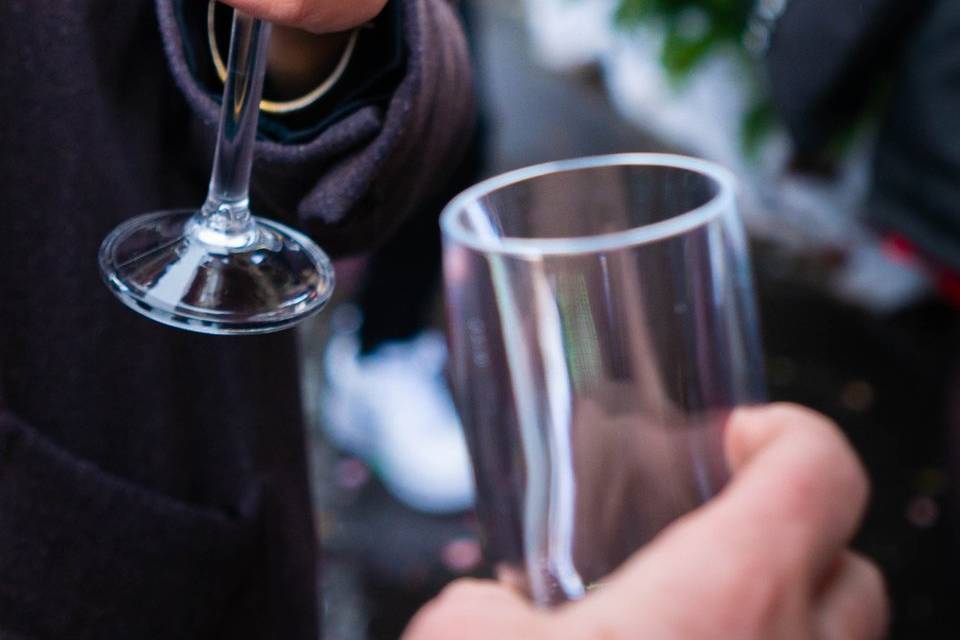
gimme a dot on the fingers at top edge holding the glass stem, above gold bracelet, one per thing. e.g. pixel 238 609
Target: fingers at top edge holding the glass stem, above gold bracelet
pixel 318 16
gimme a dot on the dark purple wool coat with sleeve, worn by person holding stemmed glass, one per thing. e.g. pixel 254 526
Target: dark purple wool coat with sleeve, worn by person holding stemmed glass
pixel 152 482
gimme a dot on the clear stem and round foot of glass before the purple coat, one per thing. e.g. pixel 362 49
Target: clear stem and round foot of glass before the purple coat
pixel 219 269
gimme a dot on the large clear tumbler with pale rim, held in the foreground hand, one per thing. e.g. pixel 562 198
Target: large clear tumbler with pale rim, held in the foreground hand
pixel 602 326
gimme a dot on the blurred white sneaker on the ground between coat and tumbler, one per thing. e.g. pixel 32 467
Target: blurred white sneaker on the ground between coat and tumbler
pixel 392 409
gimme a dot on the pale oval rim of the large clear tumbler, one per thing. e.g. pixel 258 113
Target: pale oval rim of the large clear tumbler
pixel 454 228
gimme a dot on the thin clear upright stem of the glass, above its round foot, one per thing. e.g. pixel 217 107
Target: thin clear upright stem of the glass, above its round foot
pixel 227 206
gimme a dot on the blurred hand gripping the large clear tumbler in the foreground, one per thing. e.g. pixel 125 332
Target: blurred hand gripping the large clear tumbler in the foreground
pixel 766 560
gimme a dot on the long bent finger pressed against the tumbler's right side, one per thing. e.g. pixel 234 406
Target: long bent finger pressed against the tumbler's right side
pixel 753 554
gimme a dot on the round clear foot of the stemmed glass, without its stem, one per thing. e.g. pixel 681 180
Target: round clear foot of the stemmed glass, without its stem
pixel 162 266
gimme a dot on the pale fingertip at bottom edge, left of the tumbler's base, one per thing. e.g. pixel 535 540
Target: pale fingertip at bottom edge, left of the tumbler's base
pixel 478 610
